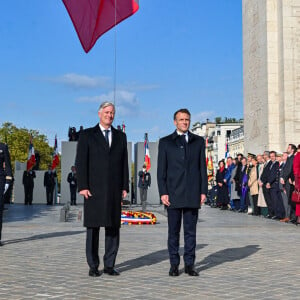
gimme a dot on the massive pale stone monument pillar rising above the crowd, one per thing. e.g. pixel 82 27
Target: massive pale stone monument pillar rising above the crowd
pixel 271 74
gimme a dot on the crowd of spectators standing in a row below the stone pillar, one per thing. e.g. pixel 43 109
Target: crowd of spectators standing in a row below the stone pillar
pixel 260 185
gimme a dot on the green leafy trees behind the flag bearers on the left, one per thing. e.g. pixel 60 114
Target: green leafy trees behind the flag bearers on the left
pixel 18 140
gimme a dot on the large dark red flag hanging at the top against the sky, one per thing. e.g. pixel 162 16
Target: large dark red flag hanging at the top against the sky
pixel 92 18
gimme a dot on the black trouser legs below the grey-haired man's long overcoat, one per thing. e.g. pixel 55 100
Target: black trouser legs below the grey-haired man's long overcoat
pixel 112 240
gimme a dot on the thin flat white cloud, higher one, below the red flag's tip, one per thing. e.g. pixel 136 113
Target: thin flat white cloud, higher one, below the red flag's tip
pixel 81 81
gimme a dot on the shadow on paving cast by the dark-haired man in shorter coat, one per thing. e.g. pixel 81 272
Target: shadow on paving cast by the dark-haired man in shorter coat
pixel 226 255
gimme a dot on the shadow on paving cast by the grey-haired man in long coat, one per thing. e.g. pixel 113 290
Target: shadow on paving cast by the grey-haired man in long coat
pixel 149 259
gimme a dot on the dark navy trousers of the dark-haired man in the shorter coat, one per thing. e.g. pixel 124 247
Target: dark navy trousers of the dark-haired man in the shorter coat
pixel 190 218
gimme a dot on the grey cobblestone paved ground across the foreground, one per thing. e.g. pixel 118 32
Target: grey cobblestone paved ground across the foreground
pixel 238 256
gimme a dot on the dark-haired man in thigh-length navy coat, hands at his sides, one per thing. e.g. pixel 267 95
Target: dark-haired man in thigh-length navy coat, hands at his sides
pixel 182 185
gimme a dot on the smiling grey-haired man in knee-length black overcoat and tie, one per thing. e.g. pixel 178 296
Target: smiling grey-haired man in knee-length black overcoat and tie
pixel 103 180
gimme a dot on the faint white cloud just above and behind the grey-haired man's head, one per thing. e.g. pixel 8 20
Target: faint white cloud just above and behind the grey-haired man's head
pixel 126 102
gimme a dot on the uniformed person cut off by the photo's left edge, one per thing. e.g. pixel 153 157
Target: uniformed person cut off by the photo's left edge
pixel 5 178
